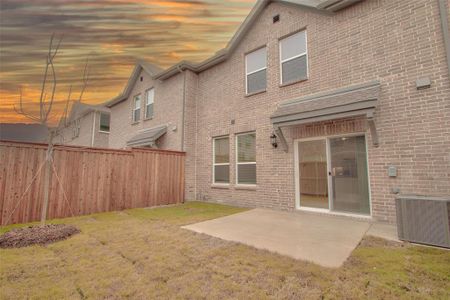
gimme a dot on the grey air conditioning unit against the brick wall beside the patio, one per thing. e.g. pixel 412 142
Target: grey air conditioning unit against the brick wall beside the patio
pixel 424 220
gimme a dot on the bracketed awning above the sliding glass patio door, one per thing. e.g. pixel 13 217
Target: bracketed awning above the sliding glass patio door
pixel 351 101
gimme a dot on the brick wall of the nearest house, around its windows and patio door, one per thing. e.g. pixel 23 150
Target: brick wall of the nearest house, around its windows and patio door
pixel 395 42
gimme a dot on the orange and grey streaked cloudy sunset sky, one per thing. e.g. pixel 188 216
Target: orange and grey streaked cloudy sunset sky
pixel 113 33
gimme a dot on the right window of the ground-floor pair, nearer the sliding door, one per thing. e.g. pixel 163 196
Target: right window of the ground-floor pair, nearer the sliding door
pixel 246 158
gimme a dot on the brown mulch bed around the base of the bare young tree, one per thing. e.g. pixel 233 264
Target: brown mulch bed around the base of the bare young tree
pixel 41 235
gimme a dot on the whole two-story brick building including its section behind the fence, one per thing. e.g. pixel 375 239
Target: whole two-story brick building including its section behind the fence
pixel 328 106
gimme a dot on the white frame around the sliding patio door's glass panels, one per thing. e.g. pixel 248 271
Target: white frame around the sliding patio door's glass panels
pixel 330 192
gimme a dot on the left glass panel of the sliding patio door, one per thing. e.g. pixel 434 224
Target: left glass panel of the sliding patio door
pixel 313 179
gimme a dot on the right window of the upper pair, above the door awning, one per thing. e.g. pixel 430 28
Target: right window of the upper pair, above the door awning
pixel 294 58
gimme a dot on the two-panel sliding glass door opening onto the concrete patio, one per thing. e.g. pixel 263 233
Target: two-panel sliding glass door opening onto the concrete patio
pixel 332 174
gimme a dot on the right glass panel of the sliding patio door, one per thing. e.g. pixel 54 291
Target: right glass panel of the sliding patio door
pixel 349 179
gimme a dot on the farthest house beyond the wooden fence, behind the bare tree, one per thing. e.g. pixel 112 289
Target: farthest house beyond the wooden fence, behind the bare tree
pixel 87 125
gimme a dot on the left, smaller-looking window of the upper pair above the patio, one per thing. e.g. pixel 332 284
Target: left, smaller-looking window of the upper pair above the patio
pixel 255 71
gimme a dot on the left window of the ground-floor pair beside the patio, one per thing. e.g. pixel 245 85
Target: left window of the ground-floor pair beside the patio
pixel 221 160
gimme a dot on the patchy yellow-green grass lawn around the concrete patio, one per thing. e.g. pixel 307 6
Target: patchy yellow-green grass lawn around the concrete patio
pixel 144 254
